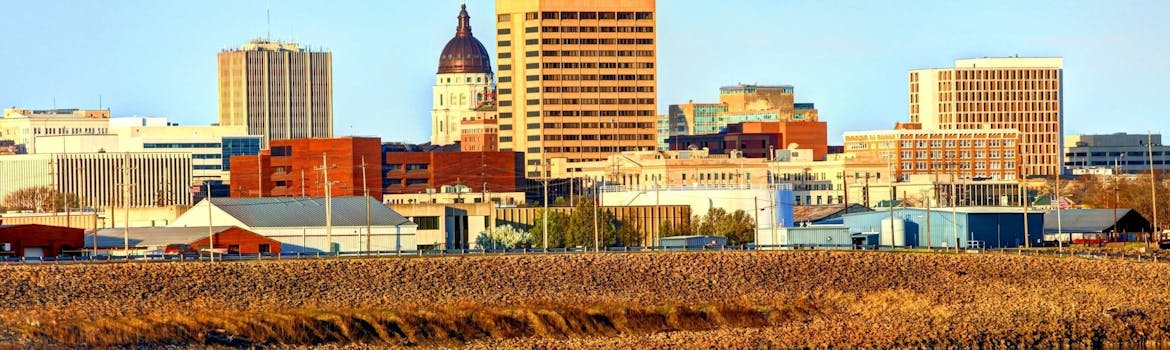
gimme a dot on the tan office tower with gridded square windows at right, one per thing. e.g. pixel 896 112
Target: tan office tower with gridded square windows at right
pixel 1001 93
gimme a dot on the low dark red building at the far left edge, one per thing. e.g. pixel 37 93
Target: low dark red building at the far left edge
pixel 39 241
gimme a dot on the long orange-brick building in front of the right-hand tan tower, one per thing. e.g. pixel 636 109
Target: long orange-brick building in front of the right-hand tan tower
pixel 963 154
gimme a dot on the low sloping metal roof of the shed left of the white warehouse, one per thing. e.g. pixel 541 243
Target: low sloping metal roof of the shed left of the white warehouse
pixel 150 237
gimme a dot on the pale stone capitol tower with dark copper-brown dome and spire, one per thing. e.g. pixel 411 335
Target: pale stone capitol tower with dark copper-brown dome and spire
pixel 464 83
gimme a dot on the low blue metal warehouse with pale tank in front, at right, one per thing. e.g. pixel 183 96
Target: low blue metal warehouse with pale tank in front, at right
pixel 992 228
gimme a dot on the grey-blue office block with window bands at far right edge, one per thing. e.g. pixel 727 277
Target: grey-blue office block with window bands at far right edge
pixel 1116 154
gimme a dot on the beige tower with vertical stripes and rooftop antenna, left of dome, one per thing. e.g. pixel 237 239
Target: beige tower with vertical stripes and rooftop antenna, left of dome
pixel 279 91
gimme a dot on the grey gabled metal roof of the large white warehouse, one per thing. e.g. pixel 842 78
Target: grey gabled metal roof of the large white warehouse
pixel 308 212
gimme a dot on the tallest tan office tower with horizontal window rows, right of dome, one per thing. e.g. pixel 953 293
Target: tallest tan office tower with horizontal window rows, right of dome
pixel 576 79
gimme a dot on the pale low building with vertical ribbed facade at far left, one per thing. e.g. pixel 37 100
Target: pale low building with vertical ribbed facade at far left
pixel 142 180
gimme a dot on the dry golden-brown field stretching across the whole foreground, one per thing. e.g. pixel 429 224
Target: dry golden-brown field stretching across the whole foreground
pixel 645 301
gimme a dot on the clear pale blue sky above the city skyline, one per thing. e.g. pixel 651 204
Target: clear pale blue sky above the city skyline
pixel 851 58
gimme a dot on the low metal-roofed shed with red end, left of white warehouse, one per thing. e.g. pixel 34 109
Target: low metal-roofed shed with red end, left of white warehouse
pixel 182 241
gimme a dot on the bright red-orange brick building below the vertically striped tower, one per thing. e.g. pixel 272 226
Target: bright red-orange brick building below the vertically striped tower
pixel 291 168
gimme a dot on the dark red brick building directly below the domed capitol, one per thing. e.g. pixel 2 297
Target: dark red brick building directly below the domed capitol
pixel 415 171
